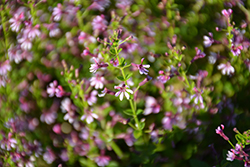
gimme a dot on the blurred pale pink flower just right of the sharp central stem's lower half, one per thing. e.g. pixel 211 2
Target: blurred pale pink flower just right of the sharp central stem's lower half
pixel 151 106
